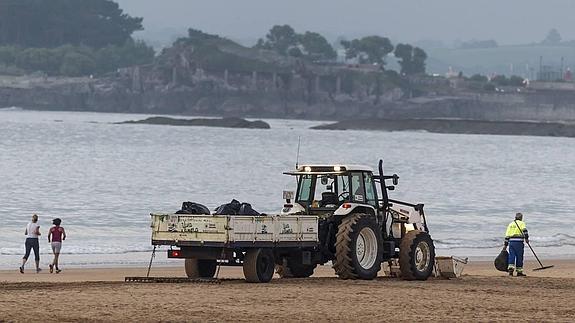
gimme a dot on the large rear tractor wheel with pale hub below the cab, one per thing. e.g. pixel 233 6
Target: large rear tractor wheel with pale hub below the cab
pixel 358 248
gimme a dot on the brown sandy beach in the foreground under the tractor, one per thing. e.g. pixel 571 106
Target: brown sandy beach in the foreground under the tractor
pixel 481 294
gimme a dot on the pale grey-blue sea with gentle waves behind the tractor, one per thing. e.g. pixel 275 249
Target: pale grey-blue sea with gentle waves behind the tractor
pixel 104 179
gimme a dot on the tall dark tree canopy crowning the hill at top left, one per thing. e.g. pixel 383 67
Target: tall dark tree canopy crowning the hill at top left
pixel 52 23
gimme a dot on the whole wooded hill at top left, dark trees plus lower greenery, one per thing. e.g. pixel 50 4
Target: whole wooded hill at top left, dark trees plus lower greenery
pixel 68 37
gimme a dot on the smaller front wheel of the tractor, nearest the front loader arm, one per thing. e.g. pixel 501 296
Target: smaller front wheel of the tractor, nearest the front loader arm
pixel 416 255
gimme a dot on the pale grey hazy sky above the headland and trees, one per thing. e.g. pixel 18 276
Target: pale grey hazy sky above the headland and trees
pixel 506 21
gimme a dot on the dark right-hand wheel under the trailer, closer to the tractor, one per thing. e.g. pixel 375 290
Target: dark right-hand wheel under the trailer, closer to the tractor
pixel 259 265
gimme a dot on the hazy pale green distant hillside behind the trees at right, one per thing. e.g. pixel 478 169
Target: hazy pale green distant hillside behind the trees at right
pixel 520 60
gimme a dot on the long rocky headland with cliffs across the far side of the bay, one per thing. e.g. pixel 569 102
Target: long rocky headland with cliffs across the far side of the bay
pixel 216 77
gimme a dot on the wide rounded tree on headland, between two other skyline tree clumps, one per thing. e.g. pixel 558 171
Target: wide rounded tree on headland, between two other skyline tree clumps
pixel 368 50
